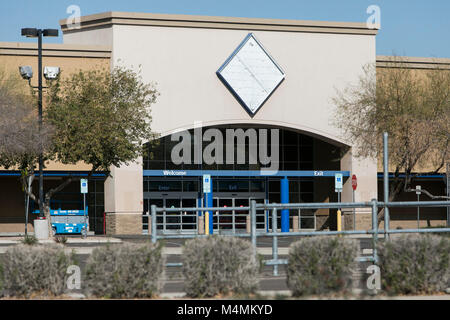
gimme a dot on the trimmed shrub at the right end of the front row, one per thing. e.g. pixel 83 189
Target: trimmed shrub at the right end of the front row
pixel 415 264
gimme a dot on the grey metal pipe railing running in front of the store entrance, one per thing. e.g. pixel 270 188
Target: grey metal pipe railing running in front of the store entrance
pixel 275 261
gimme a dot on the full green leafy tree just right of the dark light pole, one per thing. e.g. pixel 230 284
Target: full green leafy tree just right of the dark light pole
pixel 99 117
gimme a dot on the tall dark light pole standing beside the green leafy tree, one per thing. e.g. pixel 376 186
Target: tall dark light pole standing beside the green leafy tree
pixel 39 33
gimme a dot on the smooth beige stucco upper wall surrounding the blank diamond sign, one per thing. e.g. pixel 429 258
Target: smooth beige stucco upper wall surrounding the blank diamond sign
pixel 183 62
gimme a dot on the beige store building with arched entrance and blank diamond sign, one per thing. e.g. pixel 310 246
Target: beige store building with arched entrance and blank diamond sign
pixel 262 87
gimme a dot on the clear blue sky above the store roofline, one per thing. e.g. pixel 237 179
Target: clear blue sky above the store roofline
pixel 412 28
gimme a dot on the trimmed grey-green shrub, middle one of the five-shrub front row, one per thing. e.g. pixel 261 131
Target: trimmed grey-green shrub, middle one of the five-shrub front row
pixel 219 265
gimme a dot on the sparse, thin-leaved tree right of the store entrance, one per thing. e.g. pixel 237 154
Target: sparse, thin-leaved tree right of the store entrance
pixel 412 106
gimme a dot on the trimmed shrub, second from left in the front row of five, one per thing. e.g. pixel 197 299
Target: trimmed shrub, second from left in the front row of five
pixel 125 271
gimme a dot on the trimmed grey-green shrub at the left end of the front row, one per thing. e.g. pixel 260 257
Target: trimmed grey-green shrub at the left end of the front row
pixel 39 270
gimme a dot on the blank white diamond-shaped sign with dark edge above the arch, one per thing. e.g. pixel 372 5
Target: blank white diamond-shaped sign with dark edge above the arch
pixel 251 74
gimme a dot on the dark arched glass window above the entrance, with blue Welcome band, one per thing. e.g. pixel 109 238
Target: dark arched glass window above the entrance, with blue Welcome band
pixel 237 147
